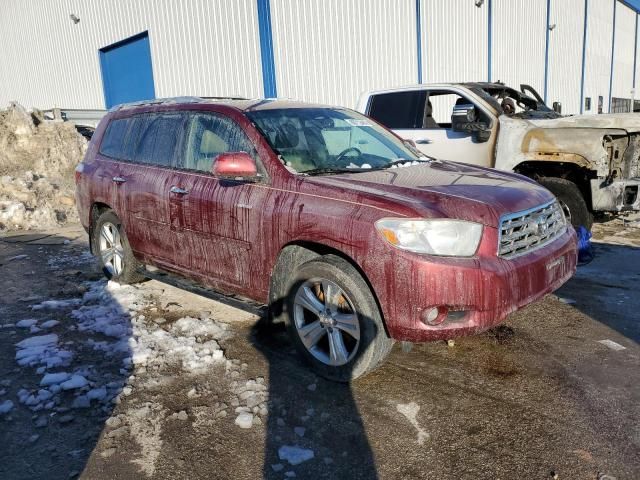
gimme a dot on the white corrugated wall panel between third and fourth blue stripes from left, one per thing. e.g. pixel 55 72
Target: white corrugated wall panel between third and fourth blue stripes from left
pixel 519 32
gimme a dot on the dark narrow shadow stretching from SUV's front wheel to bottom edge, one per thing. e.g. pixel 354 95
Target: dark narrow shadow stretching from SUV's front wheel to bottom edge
pixel 311 413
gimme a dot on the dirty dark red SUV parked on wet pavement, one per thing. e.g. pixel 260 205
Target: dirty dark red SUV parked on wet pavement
pixel 351 236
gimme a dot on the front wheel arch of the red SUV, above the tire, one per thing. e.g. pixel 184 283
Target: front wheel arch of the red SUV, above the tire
pixel 296 253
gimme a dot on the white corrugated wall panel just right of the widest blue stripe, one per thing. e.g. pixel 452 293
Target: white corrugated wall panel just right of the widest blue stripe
pixel 331 51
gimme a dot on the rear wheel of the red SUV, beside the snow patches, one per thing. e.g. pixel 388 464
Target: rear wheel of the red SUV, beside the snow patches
pixel 108 235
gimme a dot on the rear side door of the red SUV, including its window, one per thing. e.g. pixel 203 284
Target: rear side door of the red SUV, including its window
pixel 147 179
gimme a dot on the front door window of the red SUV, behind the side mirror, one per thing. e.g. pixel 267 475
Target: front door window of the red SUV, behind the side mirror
pixel 209 136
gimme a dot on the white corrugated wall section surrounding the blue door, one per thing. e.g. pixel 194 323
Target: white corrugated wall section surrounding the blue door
pixel 197 48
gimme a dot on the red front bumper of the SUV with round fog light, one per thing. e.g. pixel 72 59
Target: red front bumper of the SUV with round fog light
pixel 472 295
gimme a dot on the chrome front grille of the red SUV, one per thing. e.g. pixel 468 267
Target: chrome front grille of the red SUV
pixel 523 232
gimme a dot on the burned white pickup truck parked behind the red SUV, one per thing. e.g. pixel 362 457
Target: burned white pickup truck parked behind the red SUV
pixel 590 162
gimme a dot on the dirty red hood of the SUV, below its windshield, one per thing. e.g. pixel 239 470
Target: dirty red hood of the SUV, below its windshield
pixel 443 189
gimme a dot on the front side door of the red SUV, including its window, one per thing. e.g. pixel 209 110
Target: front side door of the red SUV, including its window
pixel 218 221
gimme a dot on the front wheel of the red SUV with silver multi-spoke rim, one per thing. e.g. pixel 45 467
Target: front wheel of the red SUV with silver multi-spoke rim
pixel 364 344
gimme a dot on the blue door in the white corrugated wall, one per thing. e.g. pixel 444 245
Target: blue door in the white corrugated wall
pixel 127 74
